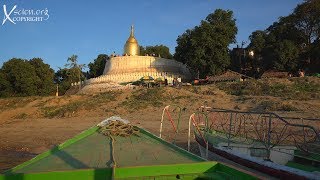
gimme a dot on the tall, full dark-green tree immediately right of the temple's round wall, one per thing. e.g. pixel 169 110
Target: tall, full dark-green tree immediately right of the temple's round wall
pixel 205 47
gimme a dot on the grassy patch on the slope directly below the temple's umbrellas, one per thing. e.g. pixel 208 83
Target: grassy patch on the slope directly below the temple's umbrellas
pixel 143 98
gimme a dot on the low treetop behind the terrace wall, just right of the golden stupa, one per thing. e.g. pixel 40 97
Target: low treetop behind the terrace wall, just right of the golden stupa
pixel 157 50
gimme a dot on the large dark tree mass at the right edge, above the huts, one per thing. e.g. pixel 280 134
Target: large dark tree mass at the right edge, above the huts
pixel 291 43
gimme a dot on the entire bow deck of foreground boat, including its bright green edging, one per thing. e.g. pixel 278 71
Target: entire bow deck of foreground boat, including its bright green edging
pixel 89 156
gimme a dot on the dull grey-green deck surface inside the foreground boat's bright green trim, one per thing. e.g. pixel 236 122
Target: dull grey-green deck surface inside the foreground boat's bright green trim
pixel 94 150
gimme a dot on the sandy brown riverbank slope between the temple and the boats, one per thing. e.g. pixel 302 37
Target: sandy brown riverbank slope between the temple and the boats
pixel 31 125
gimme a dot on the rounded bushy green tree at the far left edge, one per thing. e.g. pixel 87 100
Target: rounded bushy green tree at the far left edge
pixel 19 77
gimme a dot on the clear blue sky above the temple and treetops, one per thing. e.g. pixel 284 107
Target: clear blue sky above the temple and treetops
pixel 88 28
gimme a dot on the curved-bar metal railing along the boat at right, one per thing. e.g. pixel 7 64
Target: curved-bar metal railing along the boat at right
pixel 265 129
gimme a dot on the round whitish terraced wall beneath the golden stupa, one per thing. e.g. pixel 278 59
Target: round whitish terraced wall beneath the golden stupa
pixel 132 68
